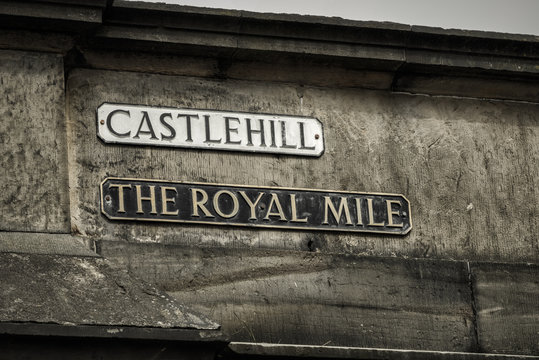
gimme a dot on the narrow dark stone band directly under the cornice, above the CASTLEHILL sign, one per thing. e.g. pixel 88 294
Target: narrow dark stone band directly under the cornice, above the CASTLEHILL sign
pixel 366 74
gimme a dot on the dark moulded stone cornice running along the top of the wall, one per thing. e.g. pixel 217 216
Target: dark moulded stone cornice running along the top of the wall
pixel 416 59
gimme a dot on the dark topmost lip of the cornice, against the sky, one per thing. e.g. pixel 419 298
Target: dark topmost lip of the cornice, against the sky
pixel 322 29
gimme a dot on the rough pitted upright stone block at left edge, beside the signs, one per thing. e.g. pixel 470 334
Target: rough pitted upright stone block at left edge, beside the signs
pixel 33 158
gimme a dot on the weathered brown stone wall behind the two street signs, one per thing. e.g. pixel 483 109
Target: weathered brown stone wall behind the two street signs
pixel 461 150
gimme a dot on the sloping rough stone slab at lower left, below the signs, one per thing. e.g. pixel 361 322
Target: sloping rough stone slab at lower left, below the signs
pixel 84 291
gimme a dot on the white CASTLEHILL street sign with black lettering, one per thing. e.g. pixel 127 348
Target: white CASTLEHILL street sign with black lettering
pixel 208 129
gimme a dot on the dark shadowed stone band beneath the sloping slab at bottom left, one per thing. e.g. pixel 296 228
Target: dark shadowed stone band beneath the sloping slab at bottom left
pixel 52 341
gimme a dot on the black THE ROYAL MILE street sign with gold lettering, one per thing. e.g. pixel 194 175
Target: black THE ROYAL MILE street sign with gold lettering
pixel 249 206
